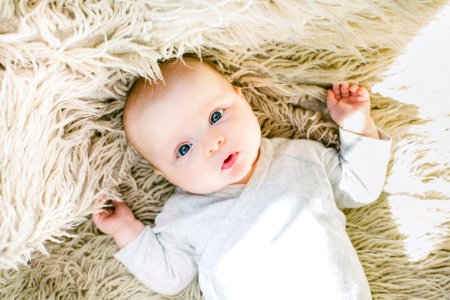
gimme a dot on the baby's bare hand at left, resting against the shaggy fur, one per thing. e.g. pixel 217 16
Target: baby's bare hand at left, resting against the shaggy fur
pixel 119 222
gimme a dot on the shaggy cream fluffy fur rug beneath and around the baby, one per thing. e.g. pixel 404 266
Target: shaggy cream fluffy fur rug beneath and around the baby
pixel 65 67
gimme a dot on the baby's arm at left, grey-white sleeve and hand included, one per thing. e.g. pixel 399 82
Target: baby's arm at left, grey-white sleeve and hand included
pixel 162 262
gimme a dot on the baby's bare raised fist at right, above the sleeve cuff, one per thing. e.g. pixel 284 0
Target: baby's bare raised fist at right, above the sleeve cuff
pixel 350 108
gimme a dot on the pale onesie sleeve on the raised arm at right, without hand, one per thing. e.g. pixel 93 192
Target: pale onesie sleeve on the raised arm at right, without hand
pixel 357 172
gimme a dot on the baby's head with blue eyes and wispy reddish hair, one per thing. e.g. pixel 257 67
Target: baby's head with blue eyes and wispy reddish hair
pixel 195 128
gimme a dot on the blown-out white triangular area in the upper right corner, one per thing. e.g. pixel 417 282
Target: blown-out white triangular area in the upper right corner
pixel 422 75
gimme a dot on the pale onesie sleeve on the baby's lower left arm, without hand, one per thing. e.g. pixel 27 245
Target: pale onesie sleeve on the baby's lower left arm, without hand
pixel 160 261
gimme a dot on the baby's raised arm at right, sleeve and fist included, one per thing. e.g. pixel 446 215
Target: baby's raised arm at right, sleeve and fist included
pixel 358 170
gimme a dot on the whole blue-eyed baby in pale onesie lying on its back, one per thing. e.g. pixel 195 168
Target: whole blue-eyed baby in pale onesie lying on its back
pixel 254 218
